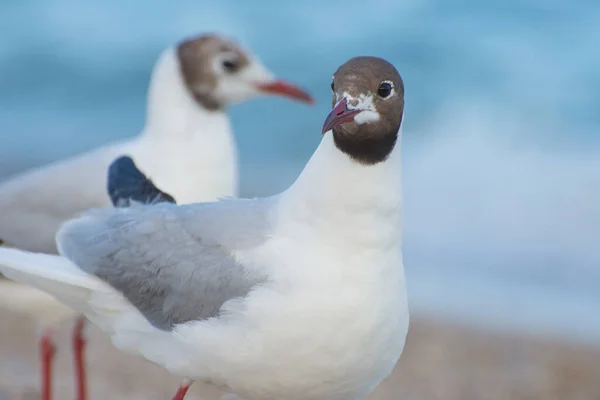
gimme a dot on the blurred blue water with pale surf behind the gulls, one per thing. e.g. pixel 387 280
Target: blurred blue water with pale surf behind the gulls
pixel 502 143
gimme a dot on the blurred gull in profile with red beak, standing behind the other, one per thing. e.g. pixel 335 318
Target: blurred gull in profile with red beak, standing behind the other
pixel 186 146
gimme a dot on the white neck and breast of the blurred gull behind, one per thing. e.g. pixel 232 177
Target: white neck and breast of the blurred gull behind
pixel 187 150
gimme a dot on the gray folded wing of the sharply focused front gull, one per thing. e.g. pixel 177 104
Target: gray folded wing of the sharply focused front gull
pixel 173 263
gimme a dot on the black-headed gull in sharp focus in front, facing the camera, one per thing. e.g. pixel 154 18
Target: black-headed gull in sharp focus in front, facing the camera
pixel 297 296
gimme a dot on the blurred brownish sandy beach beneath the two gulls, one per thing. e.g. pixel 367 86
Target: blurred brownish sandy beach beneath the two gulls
pixel 440 361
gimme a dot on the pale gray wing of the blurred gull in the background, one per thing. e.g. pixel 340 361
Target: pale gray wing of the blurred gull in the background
pixel 34 204
